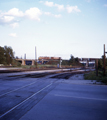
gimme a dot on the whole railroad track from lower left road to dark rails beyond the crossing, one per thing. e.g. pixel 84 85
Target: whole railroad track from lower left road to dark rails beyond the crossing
pixel 25 97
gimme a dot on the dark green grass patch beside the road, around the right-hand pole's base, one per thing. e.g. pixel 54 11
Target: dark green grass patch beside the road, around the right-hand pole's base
pixel 100 77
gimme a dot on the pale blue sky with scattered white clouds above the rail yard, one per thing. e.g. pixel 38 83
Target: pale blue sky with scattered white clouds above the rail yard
pixel 57 28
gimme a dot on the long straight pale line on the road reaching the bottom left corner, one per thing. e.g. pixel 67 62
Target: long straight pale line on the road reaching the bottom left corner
pixel 24 100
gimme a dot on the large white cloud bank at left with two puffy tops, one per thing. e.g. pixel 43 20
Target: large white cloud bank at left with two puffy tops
pixel 12 16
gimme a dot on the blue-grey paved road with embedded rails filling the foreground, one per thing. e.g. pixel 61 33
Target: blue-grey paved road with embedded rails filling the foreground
pixel 51 96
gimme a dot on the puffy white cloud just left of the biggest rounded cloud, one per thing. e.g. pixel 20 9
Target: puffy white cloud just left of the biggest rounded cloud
pixel 14 12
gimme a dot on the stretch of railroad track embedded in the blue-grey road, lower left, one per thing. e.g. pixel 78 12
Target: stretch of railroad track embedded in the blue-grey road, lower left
pixel 21 97
